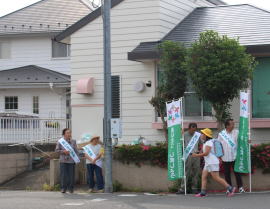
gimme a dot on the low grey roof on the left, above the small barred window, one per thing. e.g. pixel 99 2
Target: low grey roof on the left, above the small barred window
pixel 32 74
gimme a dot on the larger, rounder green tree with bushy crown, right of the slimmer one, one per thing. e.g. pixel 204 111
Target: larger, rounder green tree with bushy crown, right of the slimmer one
pixel 219 67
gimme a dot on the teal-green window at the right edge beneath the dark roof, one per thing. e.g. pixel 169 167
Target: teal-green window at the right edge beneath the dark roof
pixel 261 89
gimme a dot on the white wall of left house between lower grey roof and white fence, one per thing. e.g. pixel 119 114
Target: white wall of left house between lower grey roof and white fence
pixel 51 103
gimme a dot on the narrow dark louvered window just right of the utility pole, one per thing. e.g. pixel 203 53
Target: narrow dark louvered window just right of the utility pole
pixel 115 97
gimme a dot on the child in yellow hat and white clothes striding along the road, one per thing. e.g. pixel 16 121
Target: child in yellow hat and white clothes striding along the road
pixel 211 164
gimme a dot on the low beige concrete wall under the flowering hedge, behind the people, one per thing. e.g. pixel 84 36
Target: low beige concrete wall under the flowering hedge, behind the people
pixel 152 178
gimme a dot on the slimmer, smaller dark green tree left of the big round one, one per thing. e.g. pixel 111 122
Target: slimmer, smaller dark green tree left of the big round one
pixel 172 84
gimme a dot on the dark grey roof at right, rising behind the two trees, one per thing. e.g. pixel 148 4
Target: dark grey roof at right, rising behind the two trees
pixel 248 23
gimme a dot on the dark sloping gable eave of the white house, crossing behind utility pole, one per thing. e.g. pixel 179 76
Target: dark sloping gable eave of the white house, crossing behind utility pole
pixel 84 21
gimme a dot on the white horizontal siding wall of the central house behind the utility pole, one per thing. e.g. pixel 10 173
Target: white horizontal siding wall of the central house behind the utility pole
pixel 133 21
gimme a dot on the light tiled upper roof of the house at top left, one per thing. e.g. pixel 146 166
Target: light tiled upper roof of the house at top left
pixel 44 16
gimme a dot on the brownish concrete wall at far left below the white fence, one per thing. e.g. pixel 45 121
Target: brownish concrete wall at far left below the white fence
pixel 12 162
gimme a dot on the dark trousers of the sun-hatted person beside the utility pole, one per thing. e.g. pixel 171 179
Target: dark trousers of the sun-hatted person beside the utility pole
pixel 91 169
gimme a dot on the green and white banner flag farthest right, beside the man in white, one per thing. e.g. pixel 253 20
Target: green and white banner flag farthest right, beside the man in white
pixel 243 152
